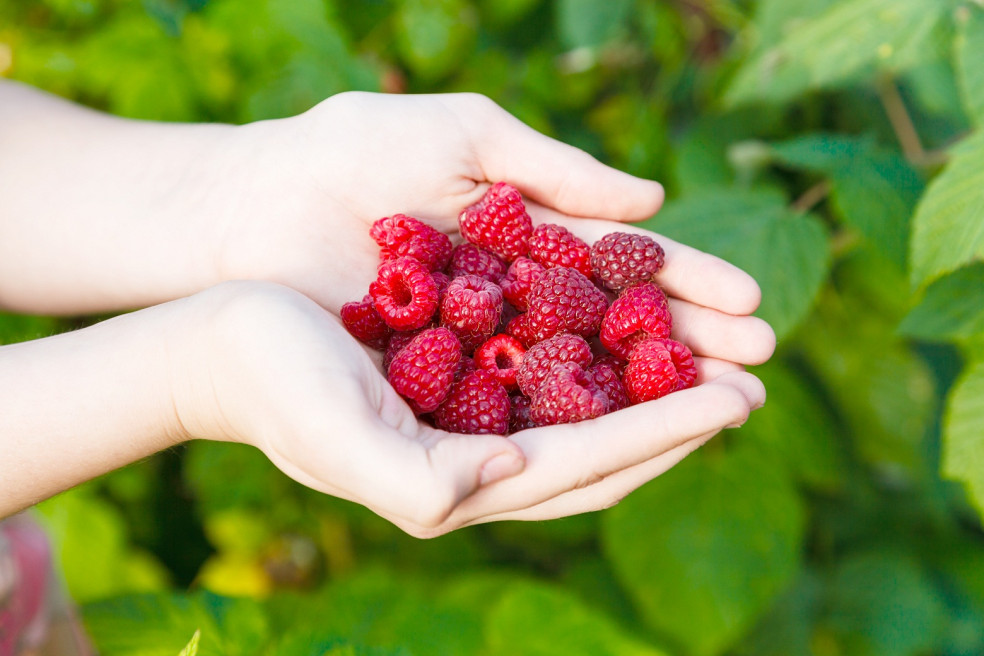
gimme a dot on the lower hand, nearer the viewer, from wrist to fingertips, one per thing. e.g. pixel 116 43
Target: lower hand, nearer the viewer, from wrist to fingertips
pixel 277 371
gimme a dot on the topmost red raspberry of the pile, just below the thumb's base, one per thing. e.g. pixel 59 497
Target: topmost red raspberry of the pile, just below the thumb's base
pixel 498 222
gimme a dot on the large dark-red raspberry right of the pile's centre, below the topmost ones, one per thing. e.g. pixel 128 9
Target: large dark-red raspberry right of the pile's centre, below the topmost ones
pixel 564 300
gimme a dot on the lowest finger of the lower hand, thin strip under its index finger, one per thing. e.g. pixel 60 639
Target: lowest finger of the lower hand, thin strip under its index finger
pixel 606 492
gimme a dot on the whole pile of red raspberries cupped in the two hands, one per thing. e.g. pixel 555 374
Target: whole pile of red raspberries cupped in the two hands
pixel 518 326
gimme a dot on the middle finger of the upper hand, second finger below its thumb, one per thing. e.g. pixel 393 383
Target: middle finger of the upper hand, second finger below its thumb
pixel 708 332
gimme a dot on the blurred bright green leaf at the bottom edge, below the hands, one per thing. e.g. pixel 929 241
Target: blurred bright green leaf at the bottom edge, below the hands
pixel 535 619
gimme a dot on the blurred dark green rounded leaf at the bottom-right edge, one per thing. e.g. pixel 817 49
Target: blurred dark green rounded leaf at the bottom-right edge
pixel 885 603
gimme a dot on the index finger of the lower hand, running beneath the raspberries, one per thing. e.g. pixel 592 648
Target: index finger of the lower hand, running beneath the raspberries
pixel 566 457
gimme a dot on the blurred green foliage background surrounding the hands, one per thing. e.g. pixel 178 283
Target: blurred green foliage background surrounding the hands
pixel 832 148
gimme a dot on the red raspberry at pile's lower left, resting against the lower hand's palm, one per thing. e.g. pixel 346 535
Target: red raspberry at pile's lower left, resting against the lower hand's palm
pixel 423 371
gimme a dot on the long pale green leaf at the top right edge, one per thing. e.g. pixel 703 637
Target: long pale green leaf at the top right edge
pixel 845 43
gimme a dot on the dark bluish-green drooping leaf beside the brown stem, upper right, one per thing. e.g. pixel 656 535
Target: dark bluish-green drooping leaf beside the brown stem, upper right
pixel 873 190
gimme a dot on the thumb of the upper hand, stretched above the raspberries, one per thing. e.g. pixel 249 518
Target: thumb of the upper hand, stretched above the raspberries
pixel 553 173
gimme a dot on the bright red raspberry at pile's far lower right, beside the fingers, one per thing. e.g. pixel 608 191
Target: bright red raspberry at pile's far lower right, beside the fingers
pixel 658 367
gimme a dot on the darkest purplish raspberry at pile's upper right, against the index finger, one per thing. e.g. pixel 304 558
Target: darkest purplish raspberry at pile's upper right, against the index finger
pixel 621 259
